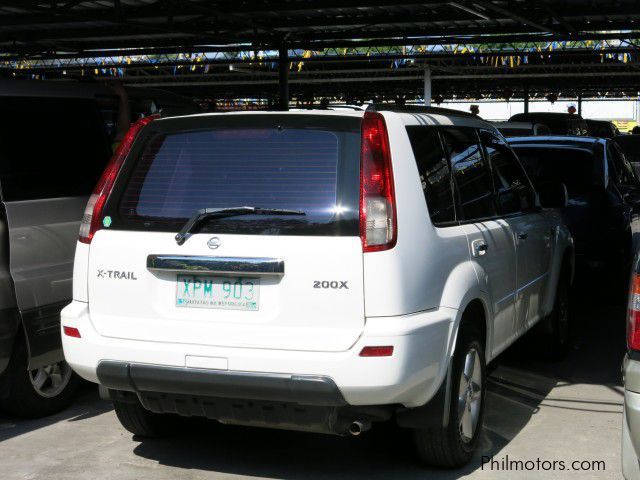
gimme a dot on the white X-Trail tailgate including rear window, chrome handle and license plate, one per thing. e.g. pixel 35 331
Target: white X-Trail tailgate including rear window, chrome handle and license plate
pixel 276 282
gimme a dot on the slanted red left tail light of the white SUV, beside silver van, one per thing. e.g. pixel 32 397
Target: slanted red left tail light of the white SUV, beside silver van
pixel 93 211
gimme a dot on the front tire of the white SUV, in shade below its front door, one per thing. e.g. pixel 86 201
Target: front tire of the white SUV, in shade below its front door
pixel 555 336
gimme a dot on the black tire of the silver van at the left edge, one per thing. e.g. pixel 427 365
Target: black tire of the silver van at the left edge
pixel 23 399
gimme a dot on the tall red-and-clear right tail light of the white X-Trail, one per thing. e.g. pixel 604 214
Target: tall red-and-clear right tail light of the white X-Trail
pixel 378 226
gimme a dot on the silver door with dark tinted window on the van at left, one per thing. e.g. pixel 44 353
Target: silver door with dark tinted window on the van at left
pixel 52 151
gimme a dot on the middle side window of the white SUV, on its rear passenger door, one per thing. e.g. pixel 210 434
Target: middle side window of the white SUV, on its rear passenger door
pixel 470 172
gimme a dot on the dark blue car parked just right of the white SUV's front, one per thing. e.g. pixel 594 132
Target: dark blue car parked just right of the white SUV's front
pixel 603 189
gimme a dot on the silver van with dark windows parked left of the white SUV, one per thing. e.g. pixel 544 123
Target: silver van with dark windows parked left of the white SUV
pixel 54 144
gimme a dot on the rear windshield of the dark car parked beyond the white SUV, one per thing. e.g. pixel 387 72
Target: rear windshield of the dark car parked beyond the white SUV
pixel 576 168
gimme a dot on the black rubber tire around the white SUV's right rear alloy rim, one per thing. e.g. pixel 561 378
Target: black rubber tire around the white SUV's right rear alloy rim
pixel 448 446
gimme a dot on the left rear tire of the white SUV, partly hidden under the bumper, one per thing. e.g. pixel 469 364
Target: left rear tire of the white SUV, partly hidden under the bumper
pixel 143 423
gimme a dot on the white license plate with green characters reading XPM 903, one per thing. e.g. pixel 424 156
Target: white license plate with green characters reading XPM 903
pixel 228 293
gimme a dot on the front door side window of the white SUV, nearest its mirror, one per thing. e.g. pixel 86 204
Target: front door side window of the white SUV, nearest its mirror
pixel 513 189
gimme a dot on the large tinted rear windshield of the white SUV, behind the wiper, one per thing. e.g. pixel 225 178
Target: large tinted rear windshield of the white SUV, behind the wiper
pixel 272 162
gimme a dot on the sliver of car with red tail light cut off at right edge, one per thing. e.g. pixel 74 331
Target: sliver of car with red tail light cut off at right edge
pixel 631 381
